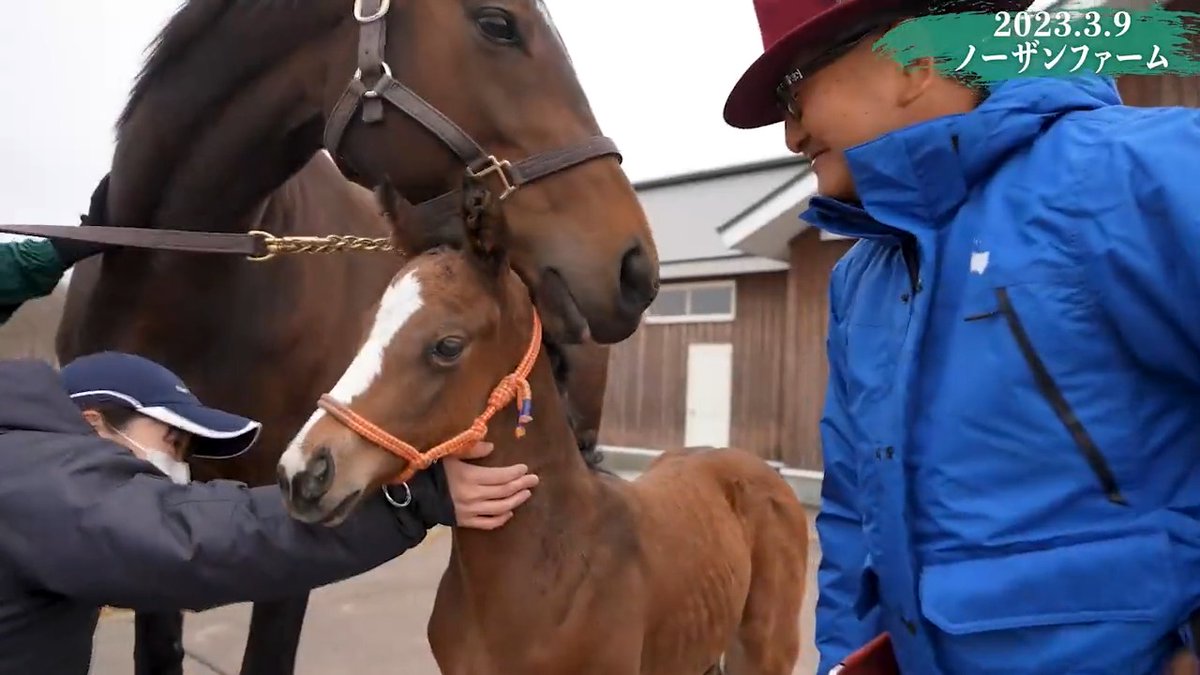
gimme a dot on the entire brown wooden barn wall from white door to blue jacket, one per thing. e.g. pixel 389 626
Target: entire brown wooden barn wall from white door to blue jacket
pixel 779 366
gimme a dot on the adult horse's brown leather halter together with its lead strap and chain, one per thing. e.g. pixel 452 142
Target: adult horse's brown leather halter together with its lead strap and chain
pixel 443 210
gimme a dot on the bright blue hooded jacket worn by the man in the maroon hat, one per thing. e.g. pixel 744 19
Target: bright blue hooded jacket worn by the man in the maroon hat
pixel 1012 433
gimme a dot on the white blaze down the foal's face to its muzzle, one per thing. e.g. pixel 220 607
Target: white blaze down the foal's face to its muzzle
pixel 398 307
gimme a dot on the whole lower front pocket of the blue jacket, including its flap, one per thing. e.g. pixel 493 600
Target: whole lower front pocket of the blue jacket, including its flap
pixel 1099 608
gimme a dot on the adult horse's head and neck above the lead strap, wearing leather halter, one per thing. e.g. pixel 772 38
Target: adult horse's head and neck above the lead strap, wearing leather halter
pixel 241 94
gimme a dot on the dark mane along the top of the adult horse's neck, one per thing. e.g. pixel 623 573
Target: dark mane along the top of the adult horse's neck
pixel 223 45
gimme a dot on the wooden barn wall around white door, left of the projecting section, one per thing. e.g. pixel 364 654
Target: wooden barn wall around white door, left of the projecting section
pixel 646 397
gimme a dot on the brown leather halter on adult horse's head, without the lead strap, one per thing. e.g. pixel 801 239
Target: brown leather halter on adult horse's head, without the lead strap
pixel 373 16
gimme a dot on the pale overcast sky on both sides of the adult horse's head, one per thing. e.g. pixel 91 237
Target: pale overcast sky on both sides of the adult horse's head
pixel 657 73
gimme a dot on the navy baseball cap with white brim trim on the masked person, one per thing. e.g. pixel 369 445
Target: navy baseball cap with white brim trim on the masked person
pixel 152 390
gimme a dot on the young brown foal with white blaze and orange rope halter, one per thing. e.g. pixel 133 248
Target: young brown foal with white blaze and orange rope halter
pixel 704 555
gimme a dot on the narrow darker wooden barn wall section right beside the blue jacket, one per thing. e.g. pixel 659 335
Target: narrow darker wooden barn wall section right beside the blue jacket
pixel 805 361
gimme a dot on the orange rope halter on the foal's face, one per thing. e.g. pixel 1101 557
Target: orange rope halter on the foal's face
pixel 506 392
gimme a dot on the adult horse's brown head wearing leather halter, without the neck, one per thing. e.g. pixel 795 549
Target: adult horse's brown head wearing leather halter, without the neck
pixel 500 70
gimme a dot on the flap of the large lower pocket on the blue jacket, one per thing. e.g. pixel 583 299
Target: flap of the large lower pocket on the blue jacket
pixel 1123 580
